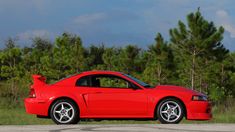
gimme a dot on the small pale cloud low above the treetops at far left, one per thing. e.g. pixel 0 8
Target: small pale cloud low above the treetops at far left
pixel 34 33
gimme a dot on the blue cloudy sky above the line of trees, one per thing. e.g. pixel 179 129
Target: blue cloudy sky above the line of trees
pixel 111 22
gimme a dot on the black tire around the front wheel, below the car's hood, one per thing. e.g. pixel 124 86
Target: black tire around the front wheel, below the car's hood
pixel 176 101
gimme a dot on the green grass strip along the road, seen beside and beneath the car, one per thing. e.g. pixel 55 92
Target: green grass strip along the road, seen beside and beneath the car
pixel 18 116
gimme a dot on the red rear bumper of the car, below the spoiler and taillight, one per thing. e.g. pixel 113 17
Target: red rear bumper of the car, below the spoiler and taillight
pixel 36 106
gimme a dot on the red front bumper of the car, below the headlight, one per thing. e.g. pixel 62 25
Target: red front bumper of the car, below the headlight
pixel 199 110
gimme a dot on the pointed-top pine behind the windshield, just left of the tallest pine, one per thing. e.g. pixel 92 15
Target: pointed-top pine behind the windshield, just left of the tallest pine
pixel 160 60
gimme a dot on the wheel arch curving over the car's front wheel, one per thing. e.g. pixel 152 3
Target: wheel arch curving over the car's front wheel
pixel 168 97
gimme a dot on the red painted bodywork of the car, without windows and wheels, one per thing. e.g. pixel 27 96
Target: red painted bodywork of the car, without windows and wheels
pixel 96 102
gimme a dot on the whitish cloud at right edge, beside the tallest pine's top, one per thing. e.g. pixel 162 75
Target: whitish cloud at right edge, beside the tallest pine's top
pixel 225 21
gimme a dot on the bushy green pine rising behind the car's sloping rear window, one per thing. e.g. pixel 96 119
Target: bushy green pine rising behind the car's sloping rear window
pixel 68 55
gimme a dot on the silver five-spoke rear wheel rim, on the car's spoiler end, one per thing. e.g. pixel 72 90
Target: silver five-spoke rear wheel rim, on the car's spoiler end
pixel 63 112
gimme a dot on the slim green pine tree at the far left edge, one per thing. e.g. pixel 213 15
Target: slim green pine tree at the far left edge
pixel 10 59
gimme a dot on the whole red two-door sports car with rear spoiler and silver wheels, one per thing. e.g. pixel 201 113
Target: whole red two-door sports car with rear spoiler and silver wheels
pixel 113 95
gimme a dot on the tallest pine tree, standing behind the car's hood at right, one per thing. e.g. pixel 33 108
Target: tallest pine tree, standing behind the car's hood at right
pixel 198 40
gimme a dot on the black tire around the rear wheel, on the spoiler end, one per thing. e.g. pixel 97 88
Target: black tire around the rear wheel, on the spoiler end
pixel 76 112
